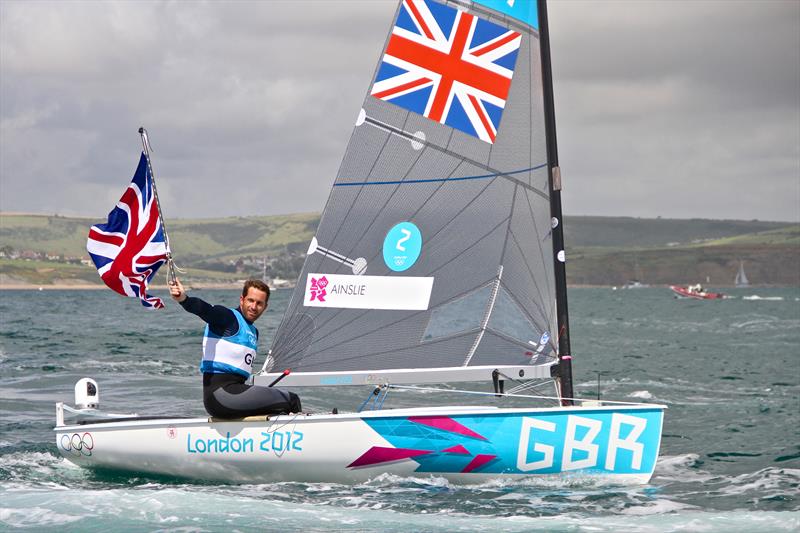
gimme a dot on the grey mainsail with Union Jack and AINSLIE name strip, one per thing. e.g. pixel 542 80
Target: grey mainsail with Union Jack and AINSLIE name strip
pixel 435 248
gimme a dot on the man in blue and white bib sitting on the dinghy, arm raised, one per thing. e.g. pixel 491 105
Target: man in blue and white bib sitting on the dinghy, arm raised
pixel 229 348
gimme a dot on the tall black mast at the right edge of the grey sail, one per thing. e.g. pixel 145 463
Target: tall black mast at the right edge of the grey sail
pixel 559 258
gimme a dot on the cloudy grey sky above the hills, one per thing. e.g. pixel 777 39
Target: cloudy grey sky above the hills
pixel 677 108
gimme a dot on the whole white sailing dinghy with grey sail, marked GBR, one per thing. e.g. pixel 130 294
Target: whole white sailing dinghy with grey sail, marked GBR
pixel 439 259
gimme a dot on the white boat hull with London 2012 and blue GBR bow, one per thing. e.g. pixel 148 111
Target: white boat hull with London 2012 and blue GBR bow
pixel 464 444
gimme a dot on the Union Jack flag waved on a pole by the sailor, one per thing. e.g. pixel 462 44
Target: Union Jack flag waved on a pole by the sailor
pixel 130 247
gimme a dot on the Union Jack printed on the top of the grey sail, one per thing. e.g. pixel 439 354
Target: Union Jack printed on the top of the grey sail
pixel 449 66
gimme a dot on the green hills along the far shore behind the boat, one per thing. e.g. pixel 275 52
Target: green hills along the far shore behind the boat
pixel 600 250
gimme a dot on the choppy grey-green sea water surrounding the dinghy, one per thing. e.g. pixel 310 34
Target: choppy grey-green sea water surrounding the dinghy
pixel 728 370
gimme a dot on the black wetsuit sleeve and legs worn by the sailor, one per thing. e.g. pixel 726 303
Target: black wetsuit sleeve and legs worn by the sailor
pixel 227 395
